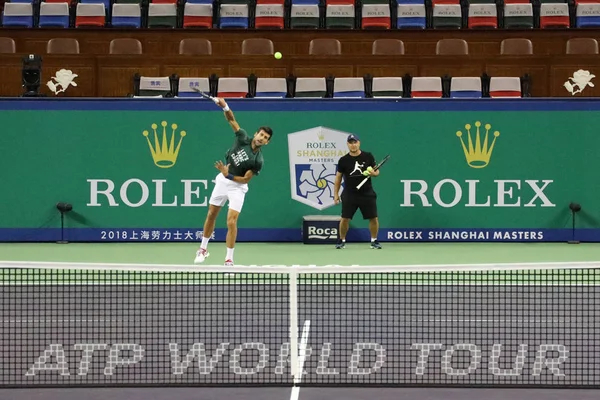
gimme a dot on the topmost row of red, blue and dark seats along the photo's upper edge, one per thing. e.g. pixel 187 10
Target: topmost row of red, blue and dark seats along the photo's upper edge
pixel 271 14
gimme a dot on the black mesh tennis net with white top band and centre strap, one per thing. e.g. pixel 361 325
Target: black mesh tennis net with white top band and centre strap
pixel 529 325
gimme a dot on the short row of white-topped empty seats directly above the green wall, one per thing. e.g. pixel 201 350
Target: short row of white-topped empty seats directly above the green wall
pixel 332 87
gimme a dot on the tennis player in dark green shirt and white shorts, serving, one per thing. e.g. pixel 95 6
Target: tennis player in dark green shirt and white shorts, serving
pixel 242 161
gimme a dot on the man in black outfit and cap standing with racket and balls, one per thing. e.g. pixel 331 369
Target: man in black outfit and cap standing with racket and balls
pixel 354 167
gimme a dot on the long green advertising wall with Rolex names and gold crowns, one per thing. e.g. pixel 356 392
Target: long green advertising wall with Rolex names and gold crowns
pixel 527 161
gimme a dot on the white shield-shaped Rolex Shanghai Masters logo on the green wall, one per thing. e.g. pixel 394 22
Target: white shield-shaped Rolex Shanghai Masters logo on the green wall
pixel 314 154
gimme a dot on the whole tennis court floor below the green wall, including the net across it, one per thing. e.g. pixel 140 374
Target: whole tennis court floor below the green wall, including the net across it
pixel 411 316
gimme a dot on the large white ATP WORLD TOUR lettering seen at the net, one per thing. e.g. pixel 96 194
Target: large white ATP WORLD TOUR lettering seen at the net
pixel 366 358
